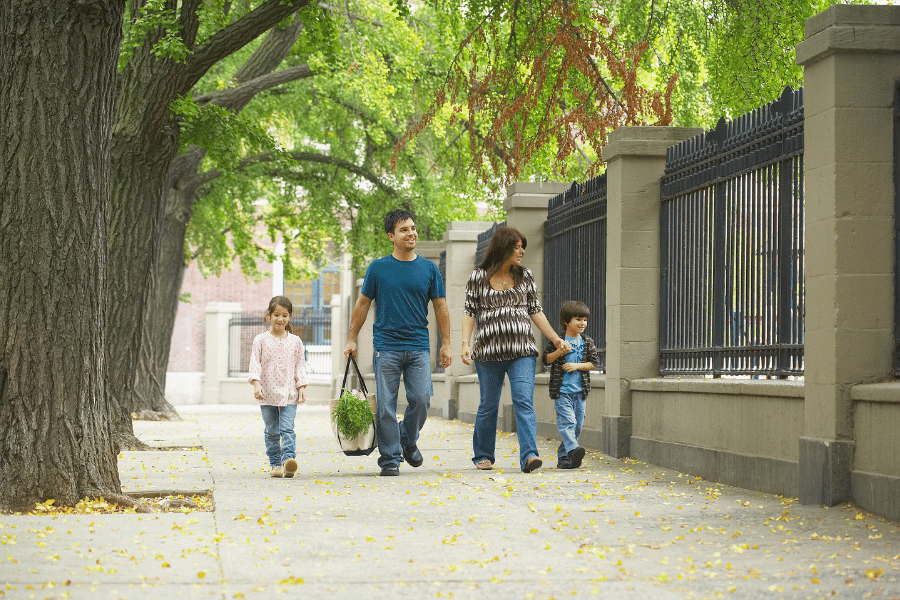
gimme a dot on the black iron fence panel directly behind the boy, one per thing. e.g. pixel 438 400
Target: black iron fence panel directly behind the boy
pixel 575 256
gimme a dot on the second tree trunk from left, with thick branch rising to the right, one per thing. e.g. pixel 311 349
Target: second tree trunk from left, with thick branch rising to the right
pixel 145 143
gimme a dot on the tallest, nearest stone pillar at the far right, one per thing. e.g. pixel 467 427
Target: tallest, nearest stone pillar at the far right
pixel 851 59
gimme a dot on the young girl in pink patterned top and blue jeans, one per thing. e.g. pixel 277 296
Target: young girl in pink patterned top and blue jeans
pixel 278 374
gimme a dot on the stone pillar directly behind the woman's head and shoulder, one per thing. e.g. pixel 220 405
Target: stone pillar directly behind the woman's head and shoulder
pixel 526 210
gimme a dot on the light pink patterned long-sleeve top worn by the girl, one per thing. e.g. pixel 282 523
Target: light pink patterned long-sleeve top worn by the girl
pixel 279 366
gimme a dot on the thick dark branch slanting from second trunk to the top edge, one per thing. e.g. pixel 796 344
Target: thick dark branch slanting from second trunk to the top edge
pixel 235 36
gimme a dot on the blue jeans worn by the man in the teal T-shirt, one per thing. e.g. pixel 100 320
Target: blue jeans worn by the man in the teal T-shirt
pixel 415 367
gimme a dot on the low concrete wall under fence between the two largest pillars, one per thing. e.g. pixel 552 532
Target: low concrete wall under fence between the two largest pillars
pixel 736 431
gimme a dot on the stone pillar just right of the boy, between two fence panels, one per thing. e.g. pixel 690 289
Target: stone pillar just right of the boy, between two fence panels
pixel 636 159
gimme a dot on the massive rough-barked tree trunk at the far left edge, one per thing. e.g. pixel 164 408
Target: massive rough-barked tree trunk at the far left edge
pixel 57 92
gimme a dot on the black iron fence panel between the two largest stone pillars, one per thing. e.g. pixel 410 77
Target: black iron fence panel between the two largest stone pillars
pixel 732 249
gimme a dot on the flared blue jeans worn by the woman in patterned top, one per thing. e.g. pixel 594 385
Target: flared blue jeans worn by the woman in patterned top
pixel 521 385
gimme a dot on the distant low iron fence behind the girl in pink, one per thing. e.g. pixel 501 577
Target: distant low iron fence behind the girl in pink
pixel 313 327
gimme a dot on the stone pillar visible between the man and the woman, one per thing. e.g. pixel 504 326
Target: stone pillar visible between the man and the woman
pixel 461 243
